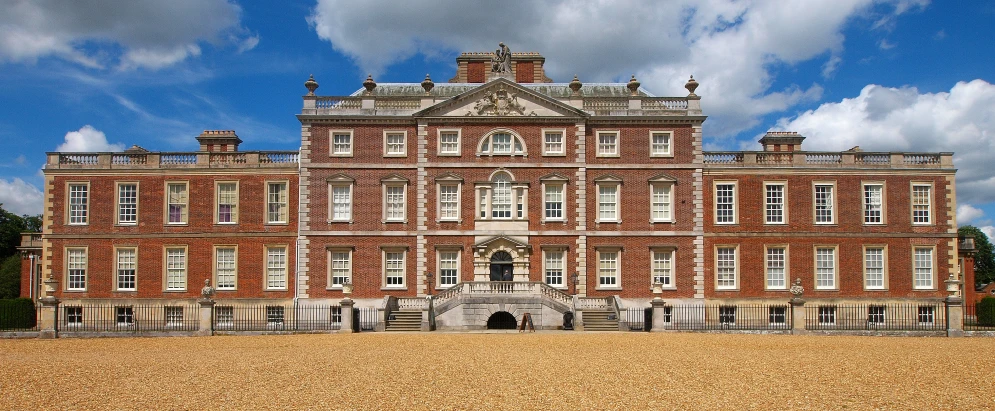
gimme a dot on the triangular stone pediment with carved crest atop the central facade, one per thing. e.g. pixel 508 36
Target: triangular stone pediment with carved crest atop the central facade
pixel 501 98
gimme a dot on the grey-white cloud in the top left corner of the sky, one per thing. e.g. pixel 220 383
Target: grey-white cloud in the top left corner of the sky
pixel 148 33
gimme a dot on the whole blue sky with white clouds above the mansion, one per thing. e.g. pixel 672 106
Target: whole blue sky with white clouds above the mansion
pixel 901 75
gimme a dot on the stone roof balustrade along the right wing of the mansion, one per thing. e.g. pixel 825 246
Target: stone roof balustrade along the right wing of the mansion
pixel 827 159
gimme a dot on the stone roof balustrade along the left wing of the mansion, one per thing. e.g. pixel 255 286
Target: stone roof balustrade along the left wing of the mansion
pixel 246 159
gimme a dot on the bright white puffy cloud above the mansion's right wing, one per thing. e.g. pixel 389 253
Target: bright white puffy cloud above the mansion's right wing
pixel 902 119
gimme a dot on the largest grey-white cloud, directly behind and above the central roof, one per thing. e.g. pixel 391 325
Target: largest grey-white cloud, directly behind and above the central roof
pixel 729 46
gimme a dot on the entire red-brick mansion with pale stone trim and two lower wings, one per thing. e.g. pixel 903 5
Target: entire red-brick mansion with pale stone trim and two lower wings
pixel 498 193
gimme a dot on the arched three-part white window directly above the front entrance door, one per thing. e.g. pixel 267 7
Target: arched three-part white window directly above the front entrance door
pixel 502 198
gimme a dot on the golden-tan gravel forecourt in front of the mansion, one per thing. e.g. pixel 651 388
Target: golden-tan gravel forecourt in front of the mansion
pixel 498 371
